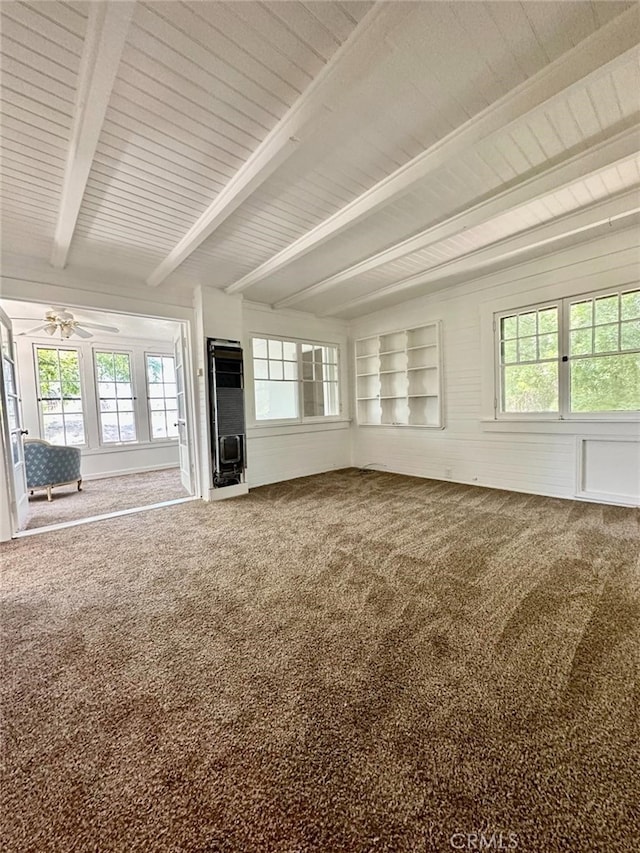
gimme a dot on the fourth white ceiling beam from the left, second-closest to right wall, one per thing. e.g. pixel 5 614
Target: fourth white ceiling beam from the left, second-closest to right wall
pixel 617 147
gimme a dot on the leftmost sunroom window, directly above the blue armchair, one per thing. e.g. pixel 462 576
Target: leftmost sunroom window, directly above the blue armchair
pixel 60 395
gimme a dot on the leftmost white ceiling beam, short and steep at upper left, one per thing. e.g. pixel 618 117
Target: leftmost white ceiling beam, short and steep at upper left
pixel 107 29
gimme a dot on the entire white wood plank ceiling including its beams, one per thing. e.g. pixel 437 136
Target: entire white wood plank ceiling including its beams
pixel 316 155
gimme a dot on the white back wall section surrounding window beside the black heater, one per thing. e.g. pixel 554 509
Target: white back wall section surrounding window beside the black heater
pixel 278 453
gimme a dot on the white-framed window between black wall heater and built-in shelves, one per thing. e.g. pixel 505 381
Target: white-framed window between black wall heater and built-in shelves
pixel 295 380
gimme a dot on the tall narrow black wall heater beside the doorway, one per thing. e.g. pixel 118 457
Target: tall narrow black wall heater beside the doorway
pixel 226 412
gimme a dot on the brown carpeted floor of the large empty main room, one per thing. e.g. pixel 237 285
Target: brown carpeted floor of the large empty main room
pixel 348 662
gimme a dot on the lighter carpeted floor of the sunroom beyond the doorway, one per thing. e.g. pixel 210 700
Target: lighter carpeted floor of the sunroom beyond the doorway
pixel 98 497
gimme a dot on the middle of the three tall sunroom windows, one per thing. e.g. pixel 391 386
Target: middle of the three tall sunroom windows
pixel 115 397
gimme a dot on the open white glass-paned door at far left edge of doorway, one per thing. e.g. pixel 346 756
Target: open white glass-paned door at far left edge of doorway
pixel 12 431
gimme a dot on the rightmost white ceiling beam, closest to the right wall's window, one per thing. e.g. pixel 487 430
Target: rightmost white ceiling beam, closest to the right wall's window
pixel 621 206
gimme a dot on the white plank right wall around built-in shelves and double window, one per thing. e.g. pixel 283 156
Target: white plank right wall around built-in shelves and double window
pixel 541 458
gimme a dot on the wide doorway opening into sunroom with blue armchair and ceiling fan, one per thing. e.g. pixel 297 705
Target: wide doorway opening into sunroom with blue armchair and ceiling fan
pixel 115 391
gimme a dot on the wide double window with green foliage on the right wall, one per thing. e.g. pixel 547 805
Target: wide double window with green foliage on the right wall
pixel 574 357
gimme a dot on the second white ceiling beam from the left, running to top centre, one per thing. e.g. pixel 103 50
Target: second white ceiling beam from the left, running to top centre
pixel 351 62
